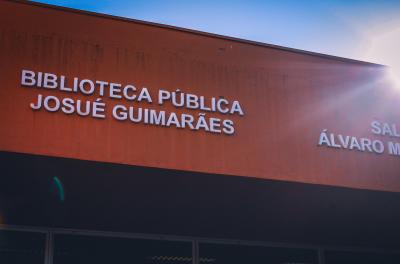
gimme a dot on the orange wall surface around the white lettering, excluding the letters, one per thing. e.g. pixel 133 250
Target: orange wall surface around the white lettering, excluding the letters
pixel 287 97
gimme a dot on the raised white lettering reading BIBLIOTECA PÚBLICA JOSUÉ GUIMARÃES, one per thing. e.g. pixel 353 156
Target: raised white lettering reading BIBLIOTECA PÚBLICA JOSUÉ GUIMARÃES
pixel 133 113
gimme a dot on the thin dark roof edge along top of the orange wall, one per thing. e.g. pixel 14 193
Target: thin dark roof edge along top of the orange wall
pixel 197 32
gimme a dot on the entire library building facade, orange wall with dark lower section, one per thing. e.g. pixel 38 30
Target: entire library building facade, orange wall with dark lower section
pixel 124 141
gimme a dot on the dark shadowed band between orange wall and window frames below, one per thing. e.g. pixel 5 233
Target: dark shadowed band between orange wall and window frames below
pixel 121 198
